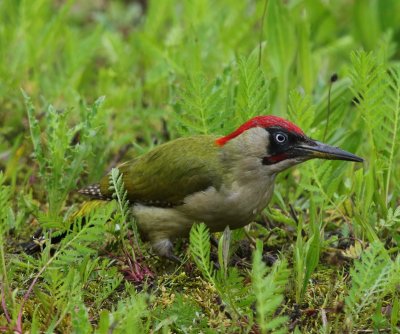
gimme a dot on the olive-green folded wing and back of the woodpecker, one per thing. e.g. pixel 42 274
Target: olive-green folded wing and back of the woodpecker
pixel 170 172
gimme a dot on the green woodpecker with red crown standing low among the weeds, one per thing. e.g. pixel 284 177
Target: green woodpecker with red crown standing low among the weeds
pixel 217 180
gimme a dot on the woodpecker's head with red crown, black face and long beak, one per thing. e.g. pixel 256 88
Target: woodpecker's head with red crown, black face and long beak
pixel 279 144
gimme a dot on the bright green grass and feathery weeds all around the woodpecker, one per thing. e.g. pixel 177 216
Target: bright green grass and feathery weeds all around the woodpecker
pixel 87 85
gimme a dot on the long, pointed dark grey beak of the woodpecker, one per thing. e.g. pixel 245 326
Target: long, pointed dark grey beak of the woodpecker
pixel 316 149
